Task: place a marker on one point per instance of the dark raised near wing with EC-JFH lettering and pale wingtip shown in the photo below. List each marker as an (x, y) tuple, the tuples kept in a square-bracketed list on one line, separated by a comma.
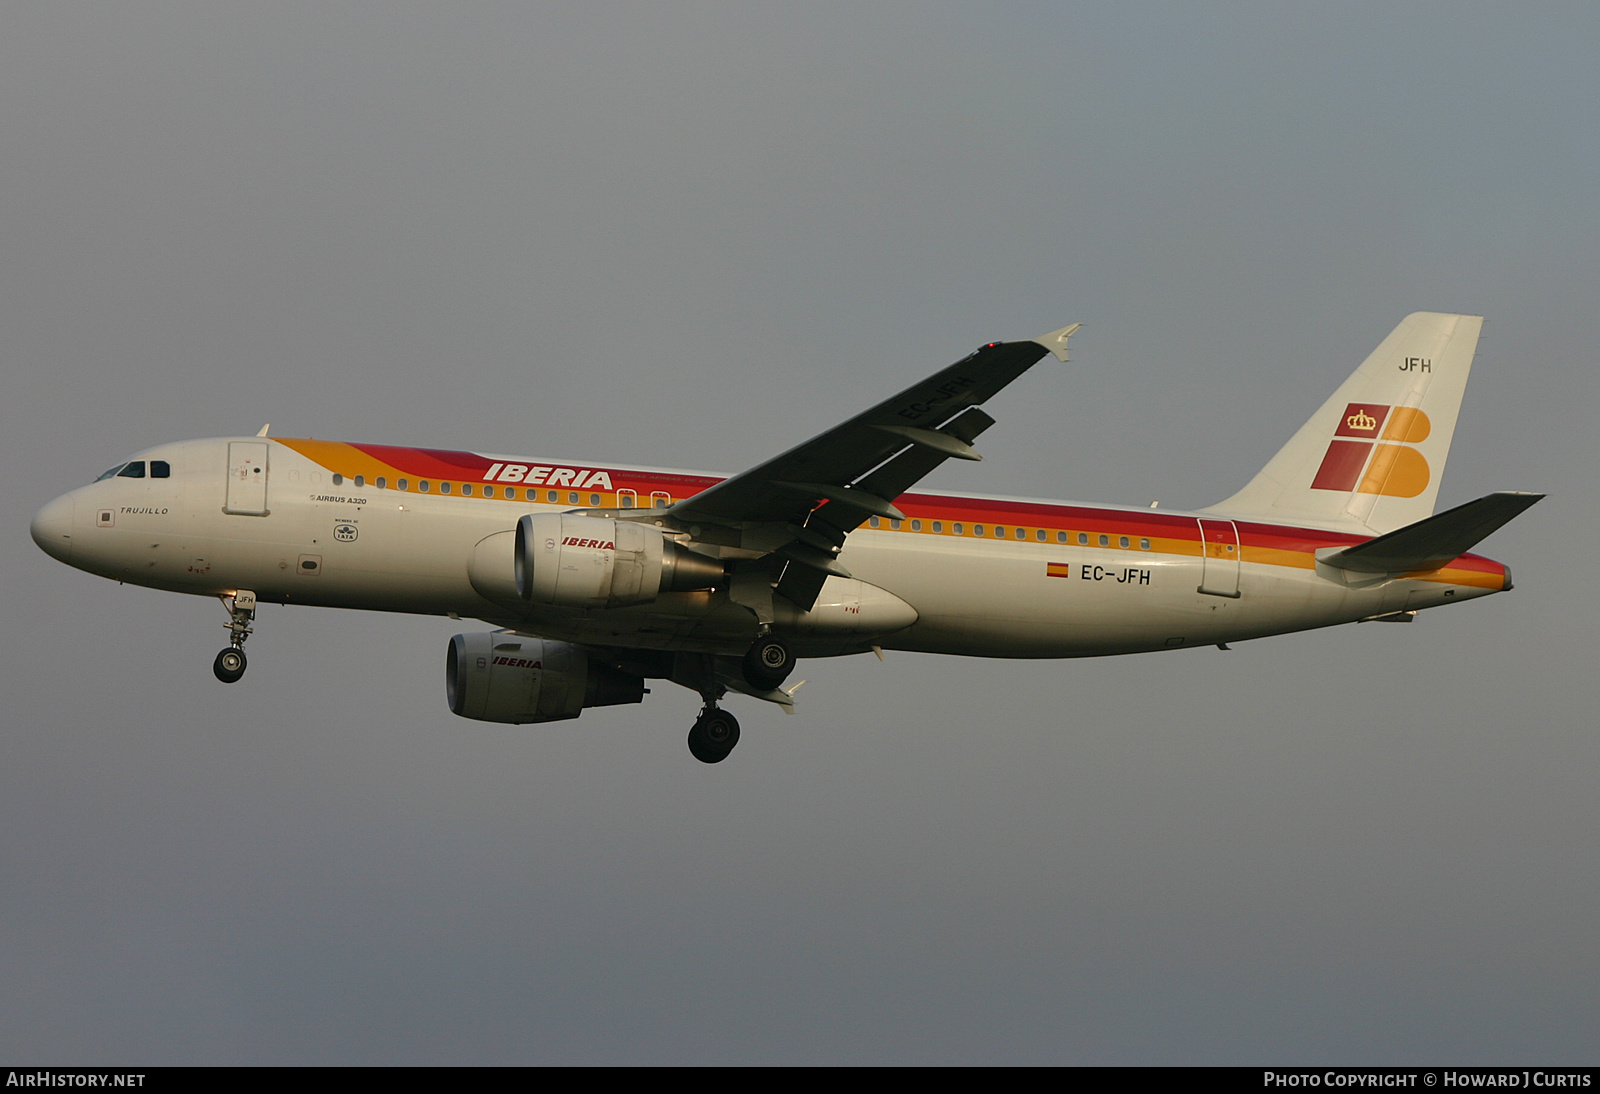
[(798, 508)]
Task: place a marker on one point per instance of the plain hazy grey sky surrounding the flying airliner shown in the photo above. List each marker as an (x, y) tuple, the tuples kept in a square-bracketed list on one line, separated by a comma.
[(689, 236)]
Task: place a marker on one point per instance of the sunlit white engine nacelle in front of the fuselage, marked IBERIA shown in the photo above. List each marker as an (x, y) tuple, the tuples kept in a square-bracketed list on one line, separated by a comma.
[(570, 561)]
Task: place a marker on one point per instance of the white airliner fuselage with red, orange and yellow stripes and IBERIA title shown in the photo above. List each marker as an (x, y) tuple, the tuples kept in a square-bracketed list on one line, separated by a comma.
[(1081, 580)]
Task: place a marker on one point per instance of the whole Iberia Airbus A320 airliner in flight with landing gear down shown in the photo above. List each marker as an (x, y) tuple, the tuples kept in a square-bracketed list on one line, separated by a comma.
[(599, 577)]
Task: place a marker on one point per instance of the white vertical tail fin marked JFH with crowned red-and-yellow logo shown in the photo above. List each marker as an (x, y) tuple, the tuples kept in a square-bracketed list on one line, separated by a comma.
[(1372, 458)]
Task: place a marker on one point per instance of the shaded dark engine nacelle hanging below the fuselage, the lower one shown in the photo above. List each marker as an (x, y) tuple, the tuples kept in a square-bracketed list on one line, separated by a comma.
[(505, 677)]
